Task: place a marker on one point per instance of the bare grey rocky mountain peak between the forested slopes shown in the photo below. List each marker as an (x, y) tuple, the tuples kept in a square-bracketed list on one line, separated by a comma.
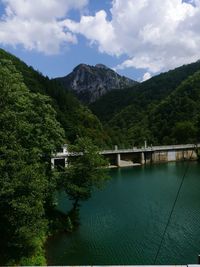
[(91, 82)]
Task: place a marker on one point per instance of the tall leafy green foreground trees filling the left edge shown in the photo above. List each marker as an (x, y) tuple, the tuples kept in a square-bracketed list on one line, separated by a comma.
[(28, 133)]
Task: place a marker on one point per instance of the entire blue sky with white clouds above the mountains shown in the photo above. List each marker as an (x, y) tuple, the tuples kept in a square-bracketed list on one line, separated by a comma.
[(137, 38)]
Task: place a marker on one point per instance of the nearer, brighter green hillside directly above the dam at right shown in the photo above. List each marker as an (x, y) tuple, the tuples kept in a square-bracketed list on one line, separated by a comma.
[(172, 120)]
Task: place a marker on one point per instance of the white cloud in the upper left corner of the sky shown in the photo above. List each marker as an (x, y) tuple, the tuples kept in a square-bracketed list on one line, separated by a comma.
[(37, 24)]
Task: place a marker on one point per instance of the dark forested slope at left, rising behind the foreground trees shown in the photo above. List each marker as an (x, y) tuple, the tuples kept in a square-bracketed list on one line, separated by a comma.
[(76, 119)]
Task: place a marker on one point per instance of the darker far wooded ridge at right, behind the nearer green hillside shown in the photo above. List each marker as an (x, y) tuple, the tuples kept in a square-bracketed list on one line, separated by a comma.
[(141, 95)]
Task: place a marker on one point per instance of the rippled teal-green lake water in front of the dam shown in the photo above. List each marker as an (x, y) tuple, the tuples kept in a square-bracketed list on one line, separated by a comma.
[(123, 223)]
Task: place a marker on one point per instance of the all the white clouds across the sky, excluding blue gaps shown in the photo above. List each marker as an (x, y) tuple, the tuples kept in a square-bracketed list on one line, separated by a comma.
[(152, 35)]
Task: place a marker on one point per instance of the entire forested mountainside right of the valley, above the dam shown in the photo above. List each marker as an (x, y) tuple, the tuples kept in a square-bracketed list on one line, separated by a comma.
[(153, 110)]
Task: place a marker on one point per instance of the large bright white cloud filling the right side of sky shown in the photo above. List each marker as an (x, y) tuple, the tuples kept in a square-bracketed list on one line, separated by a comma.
[(154, 35)]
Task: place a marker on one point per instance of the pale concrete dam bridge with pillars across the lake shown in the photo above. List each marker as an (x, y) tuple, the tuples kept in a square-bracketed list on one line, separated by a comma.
[(136, 156)]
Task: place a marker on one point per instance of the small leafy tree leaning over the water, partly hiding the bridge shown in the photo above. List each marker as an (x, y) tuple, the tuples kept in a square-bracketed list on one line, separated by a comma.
[(84, 173)]
